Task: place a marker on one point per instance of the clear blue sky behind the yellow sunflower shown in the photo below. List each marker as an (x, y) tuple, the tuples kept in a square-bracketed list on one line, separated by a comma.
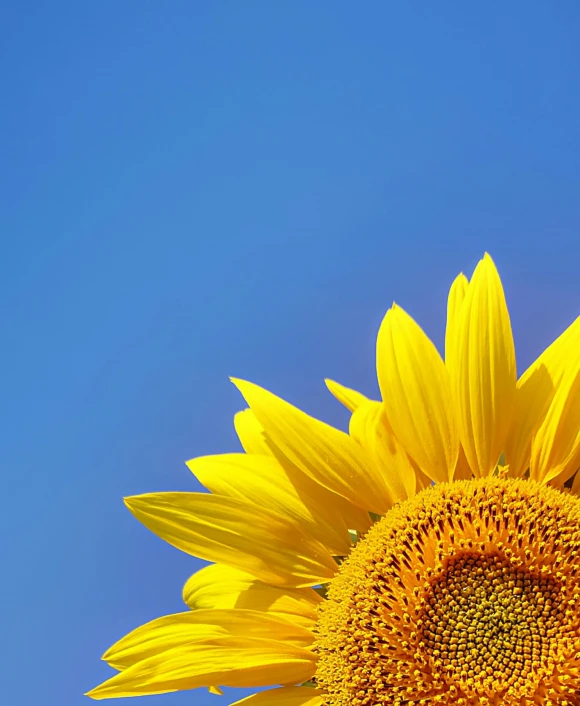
[(192, 190)]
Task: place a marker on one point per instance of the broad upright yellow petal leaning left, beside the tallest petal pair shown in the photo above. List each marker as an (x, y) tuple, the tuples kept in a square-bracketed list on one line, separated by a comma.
[(416, 392)]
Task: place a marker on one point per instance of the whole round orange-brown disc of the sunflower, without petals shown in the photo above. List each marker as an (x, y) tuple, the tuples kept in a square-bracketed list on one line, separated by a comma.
[(466, 594)]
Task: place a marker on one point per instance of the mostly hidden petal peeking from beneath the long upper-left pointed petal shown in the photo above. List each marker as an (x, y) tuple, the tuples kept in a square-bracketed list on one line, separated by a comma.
[(255, 440)]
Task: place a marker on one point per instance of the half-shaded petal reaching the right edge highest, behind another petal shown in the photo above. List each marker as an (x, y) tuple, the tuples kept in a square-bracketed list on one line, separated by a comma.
[(534, 394)]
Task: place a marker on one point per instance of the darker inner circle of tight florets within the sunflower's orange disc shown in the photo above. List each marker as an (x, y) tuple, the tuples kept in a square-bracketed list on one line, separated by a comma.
[(486, 622)]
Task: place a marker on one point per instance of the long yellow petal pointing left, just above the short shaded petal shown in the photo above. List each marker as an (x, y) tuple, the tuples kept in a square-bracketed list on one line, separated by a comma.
[(238, 534)]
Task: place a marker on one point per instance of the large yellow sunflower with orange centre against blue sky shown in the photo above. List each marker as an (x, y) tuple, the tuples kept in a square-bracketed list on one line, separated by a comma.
[(430, 555)]
